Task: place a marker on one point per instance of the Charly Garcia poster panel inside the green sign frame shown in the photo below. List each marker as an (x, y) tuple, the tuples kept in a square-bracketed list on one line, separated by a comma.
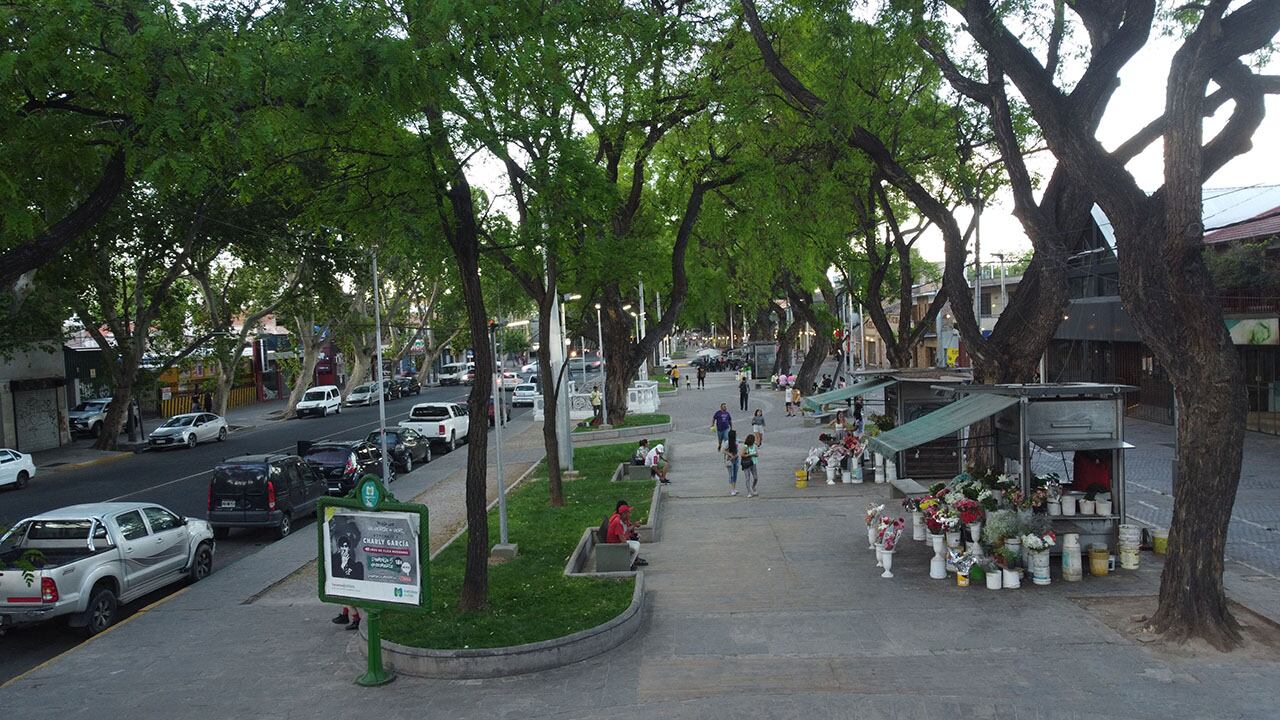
[(372, 555)]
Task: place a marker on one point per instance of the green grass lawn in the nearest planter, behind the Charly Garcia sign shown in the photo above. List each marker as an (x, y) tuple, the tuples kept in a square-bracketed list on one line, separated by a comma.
[(531, 599)]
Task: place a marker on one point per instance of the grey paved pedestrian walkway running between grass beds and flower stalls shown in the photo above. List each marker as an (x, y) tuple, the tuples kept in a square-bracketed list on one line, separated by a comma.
[(761, 608)]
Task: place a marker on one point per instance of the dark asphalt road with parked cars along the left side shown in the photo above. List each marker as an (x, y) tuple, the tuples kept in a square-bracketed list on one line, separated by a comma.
[(180, 480)]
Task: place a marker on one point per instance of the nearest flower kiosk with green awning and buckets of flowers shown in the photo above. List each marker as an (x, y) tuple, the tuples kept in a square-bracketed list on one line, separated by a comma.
[(1058, 486)]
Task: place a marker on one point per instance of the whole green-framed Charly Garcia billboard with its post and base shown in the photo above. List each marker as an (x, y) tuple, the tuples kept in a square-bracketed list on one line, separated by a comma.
[(373, 554)]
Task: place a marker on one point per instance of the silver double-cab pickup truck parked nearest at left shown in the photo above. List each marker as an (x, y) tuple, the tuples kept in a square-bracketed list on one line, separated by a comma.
[(90, 559)]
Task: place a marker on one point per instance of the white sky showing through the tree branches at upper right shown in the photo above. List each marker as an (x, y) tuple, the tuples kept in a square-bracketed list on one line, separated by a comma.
[(1140, 101)]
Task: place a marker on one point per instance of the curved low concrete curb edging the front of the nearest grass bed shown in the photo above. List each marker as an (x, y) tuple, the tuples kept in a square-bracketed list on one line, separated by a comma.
[(515, 660)]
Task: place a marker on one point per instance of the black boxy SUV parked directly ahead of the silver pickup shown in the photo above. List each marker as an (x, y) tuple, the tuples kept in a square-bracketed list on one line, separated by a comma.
[(262, 491)]
